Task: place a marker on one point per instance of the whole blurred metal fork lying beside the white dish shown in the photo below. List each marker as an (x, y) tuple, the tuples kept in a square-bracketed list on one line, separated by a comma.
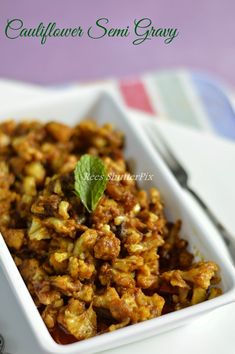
[(182, 177)]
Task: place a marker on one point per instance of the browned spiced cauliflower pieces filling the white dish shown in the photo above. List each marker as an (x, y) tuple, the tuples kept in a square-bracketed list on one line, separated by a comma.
[(91, 271)]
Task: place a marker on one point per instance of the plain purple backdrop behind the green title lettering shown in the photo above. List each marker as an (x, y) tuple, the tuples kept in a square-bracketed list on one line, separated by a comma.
[(206, 40)]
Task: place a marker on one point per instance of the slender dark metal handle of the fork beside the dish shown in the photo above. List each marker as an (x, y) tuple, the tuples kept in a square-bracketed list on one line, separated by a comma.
[(223, 231)]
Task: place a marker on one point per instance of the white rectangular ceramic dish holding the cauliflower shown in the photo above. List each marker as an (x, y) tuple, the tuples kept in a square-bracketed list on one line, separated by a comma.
[(70, 108)]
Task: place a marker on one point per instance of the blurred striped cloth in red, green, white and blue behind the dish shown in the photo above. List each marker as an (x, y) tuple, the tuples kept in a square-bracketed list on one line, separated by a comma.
[(190, 98)]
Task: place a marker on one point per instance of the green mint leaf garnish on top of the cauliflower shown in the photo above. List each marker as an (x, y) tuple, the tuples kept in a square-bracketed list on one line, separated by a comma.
[(90, 180)]
